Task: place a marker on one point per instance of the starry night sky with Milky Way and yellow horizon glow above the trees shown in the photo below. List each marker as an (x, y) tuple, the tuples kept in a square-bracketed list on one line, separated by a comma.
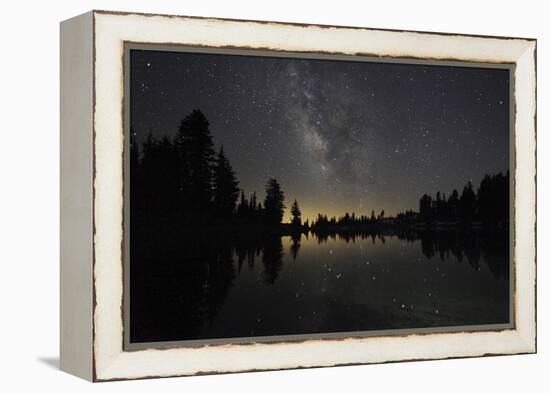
[(340, 136)]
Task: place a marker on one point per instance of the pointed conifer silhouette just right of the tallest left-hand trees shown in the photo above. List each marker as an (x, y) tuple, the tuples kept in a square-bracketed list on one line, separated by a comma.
[(225, 189)]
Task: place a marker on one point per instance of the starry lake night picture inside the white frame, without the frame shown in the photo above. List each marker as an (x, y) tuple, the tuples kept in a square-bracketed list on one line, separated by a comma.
[(288, 196)]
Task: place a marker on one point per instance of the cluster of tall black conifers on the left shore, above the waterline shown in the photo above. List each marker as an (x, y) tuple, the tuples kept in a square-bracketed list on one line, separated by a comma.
[(183, 182)]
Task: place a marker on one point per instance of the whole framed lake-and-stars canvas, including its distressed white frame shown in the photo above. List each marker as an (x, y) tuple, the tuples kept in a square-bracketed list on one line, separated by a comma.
[(246, 195)]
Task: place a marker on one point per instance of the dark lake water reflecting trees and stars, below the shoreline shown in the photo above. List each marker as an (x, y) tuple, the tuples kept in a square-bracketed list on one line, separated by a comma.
[(220, 288)]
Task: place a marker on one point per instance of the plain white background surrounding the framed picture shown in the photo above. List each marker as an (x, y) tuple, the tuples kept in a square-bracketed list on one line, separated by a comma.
[(29, 197)]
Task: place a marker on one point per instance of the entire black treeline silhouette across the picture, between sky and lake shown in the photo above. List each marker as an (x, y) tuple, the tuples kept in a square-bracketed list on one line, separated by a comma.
[(184, 182)]
